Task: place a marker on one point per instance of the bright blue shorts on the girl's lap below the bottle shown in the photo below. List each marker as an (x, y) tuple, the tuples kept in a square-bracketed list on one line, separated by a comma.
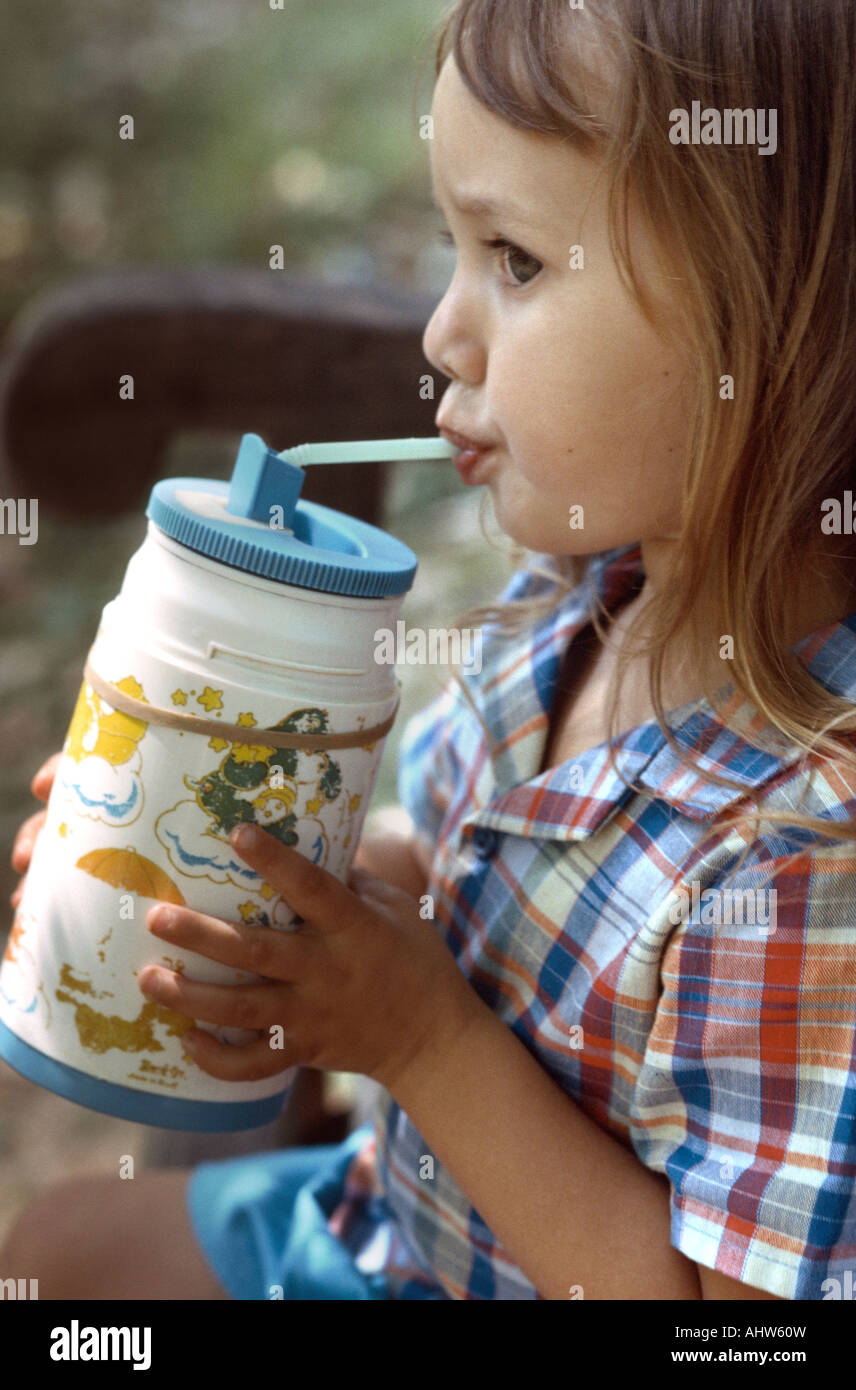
[(262, 1224)]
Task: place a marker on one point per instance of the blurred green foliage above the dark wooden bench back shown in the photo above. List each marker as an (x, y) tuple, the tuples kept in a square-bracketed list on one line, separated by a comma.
[(254, 127)]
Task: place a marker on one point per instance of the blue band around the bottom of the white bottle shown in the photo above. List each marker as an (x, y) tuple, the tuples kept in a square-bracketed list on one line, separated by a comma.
[(163, 1111)]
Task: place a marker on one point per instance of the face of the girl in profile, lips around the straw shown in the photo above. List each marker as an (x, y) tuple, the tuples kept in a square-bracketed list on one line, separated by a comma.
[(558, 368)]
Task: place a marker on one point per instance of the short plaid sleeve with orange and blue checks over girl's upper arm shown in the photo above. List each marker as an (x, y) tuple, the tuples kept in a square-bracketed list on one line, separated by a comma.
[(747, 1096)]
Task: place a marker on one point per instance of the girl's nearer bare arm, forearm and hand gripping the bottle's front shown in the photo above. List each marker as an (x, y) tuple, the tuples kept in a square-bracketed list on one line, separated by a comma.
[(368, 988)]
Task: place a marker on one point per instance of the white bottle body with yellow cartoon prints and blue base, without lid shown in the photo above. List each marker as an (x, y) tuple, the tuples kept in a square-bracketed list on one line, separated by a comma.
[(141, 812)]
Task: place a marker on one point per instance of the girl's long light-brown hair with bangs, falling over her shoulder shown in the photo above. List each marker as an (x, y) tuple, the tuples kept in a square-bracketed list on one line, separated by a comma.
[(765, 248)]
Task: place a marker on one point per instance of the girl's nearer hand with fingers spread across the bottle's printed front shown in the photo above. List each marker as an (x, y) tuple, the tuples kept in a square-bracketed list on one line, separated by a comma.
[(366, 985)]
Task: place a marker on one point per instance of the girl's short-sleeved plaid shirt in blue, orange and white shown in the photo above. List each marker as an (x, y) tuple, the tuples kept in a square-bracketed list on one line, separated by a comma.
[(715, 1042)]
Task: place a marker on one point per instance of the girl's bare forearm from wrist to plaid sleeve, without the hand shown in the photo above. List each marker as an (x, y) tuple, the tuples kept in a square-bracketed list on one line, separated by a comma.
[(570, 1204)]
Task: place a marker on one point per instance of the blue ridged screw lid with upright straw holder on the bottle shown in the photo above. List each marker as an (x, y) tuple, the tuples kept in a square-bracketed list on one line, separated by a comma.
[(258, 525)]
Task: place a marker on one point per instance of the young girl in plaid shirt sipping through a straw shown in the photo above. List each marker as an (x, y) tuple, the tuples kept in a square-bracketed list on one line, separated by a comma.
[(619, 1061)]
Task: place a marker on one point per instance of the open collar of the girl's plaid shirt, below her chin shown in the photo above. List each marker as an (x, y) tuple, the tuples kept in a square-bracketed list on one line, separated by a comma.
[(518, 687)]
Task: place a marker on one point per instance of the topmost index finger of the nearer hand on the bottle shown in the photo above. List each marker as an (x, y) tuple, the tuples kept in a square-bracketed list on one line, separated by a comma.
[(318, 896)]
